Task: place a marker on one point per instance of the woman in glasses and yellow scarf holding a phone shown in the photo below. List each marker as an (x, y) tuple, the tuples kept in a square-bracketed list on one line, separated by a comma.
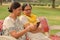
[(29, 18)]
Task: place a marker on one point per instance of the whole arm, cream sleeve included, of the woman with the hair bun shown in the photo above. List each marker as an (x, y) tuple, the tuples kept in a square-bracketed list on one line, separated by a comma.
[(8, 25)]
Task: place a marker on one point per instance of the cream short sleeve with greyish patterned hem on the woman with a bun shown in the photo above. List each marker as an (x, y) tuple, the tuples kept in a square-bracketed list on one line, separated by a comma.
[(8, 26)]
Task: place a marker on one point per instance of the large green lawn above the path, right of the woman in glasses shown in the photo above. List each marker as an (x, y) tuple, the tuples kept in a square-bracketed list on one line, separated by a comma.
[(51, 14)]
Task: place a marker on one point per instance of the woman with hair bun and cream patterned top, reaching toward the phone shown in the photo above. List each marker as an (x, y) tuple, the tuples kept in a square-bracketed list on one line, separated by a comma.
[(12, 26)]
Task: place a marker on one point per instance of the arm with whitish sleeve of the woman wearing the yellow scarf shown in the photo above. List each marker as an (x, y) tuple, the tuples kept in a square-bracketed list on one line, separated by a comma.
[(26, 23)]
